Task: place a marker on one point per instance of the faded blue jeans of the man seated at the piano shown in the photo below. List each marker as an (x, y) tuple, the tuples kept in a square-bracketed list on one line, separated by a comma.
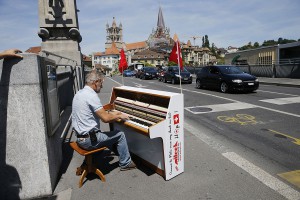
[(109, 139)]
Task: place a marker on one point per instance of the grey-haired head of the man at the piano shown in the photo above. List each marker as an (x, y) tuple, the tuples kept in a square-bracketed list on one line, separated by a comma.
[(94, 79)]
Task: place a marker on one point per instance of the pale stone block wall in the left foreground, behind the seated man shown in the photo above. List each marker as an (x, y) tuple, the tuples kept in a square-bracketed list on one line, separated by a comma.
[(30, 158)]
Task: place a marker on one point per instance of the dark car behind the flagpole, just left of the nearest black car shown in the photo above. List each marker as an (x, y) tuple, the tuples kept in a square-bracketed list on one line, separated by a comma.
[(172, 75)]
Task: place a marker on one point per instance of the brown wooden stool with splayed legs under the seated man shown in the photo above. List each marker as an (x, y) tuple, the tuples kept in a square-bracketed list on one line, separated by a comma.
[(89, 167)]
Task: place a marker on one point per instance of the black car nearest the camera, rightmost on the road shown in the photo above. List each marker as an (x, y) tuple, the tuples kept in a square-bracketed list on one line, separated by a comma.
[(226, 78)]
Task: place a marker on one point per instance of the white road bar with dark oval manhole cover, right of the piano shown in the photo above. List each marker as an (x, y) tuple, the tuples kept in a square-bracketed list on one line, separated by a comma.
[(221, 107)]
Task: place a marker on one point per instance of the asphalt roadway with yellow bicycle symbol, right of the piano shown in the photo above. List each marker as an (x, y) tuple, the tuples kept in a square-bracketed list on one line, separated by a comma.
[(261, 128)]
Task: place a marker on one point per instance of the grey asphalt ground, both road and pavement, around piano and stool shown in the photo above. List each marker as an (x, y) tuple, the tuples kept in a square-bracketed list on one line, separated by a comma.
[(237, 146)]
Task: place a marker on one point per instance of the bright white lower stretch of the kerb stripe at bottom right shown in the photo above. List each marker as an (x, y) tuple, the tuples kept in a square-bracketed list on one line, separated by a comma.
[(263, 176)]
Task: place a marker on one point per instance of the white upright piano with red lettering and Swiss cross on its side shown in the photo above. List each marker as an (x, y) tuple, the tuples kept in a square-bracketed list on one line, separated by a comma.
[(154, 132)]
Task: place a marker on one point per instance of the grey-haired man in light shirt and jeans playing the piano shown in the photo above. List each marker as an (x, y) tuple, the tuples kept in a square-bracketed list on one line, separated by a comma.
[(87, 109)]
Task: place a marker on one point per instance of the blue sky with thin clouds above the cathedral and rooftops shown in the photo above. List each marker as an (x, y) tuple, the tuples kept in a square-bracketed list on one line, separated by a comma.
[(226, 23)]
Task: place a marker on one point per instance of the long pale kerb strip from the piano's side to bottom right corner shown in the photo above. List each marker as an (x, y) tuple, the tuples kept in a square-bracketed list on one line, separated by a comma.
[(264, 177)]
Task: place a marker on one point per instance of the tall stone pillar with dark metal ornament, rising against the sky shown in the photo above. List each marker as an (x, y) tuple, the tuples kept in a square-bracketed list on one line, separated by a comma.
[(59, 29)]
